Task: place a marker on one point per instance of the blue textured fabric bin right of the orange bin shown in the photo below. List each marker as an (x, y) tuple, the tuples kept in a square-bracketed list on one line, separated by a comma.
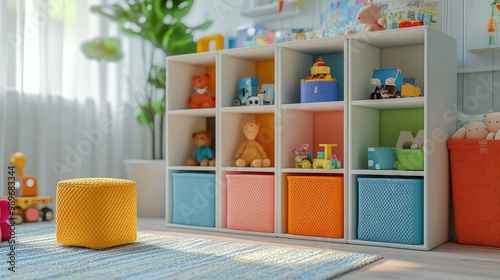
[(391, 210)]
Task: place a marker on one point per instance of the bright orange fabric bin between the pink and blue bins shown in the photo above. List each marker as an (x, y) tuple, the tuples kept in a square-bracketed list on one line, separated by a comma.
[(316, 206)]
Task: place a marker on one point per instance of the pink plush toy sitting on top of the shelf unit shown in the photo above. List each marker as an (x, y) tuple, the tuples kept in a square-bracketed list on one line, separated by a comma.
[(371, 16)]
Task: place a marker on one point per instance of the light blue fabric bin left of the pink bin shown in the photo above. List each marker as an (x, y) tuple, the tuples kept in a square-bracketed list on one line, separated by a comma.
[(193, 199)]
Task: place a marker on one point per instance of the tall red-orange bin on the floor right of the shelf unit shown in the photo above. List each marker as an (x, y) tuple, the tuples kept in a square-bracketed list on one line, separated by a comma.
[(475, 165)]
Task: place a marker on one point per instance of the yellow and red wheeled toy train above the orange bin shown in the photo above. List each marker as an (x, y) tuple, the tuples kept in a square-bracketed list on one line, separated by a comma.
[(326, 159)]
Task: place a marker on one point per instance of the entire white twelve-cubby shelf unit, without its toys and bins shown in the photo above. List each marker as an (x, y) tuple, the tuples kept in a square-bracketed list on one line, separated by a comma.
[(423, 53)]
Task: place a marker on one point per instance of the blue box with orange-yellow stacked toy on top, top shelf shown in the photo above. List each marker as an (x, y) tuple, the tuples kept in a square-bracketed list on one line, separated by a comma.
[(320, 86)]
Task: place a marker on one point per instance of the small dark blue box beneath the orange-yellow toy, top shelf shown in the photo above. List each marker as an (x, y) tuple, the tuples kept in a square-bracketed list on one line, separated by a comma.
[(319, 91)]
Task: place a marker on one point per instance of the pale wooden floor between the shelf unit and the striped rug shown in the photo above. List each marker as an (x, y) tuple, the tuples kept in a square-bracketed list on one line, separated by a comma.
[(450, 261)]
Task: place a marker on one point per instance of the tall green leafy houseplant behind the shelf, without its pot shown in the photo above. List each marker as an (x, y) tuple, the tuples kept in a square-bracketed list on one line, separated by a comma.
[(158, 23)]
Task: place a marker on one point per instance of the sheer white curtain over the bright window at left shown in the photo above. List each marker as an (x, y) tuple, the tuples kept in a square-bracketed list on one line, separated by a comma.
[(69, 115)]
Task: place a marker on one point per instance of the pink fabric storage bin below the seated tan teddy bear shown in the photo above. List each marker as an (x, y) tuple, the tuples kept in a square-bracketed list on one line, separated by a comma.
[(250, 202)]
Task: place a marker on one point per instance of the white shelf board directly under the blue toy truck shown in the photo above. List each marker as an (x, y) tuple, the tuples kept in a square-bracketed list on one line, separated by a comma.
[(392, 103)]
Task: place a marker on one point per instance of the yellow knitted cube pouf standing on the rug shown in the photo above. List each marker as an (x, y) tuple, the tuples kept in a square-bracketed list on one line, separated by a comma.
[(96, 212)]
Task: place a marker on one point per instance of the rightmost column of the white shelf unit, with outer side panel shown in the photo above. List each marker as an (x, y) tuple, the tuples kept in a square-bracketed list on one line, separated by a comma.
[(429, 57)]
